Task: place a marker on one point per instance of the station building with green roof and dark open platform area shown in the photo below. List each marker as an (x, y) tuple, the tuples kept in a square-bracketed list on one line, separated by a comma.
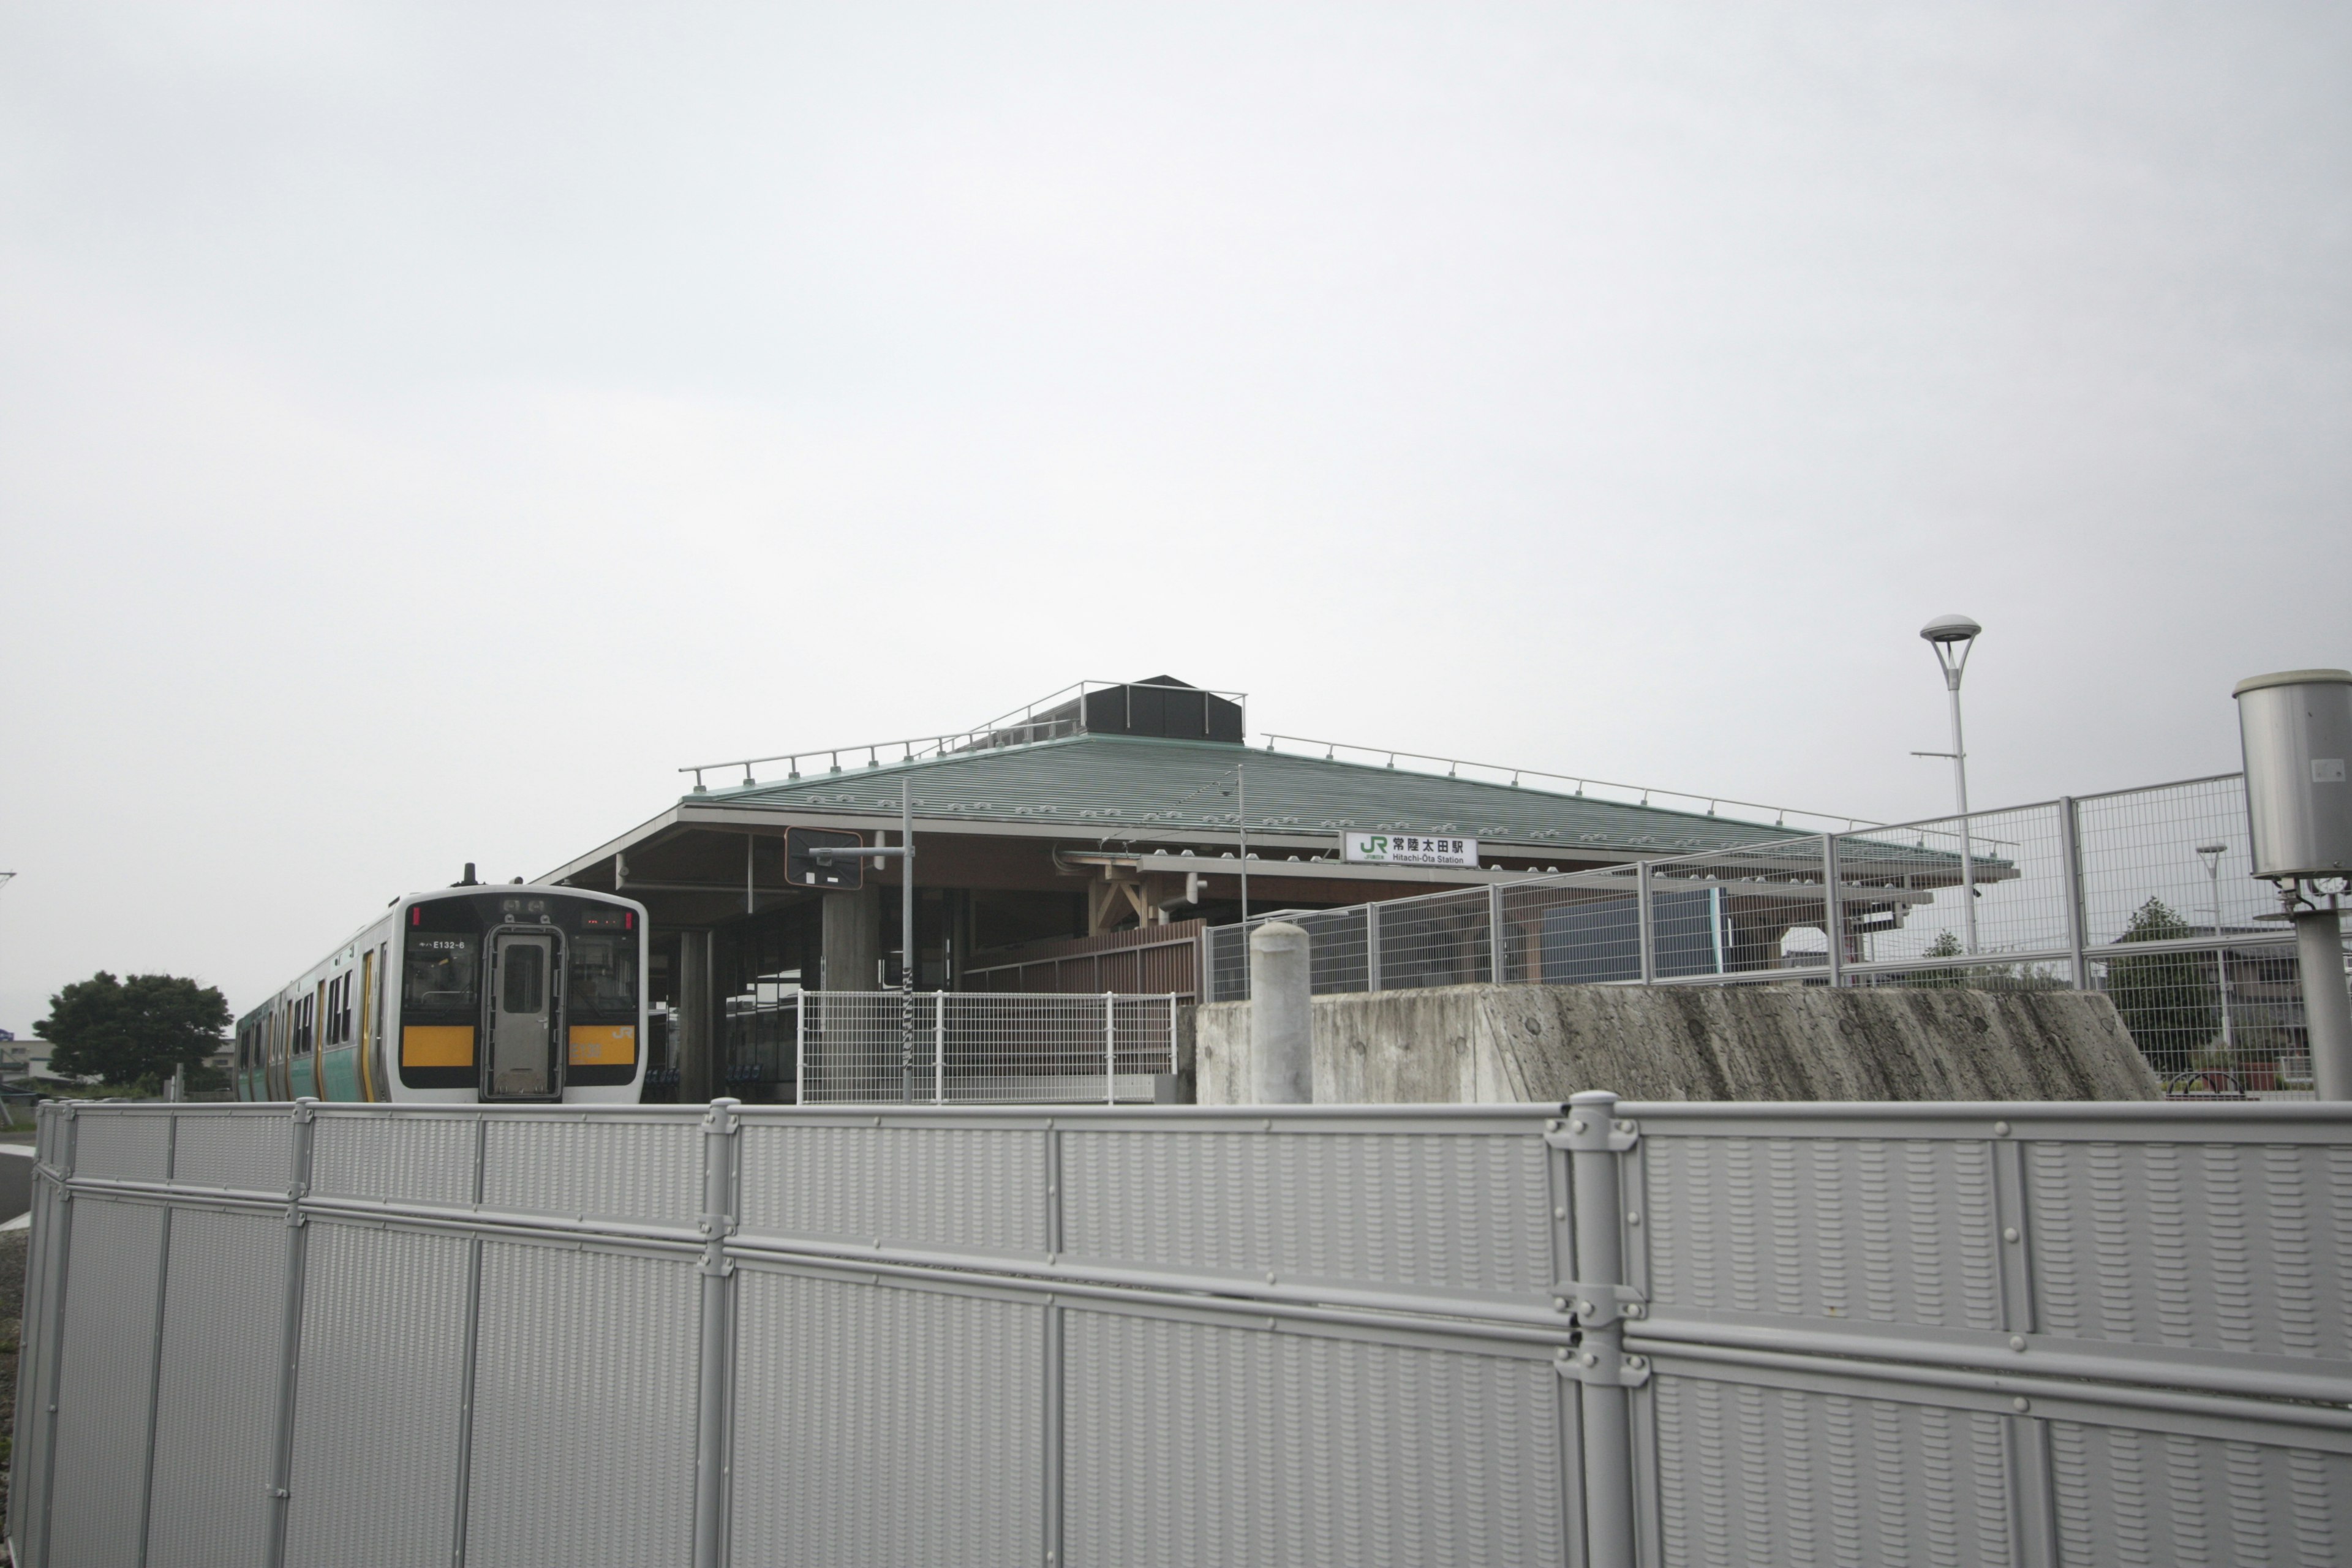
[(1076, 845)]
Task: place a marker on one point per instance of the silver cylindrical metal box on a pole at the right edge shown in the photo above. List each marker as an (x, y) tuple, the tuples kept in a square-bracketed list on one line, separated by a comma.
[(2297, 730)]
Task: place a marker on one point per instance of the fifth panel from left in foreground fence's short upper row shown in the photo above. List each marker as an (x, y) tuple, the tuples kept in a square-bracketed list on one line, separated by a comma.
[(860, 1184)]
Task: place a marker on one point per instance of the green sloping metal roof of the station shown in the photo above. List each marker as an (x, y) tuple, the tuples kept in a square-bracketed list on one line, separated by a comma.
[(1147, 789)]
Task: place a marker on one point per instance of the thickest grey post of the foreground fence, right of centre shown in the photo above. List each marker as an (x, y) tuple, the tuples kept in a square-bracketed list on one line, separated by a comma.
[(1601, 1264)]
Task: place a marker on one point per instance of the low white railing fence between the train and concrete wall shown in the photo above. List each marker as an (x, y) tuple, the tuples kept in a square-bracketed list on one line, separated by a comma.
[(963, 1050)]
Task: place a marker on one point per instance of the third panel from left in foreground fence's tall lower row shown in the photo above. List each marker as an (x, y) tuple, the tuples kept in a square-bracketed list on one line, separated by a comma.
[(377, 1428)]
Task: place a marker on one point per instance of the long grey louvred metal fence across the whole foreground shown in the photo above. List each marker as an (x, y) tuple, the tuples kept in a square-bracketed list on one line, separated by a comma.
[(1591, 1334)]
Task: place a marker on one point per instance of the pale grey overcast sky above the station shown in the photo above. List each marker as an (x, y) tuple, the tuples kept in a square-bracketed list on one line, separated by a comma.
[(422, 427)]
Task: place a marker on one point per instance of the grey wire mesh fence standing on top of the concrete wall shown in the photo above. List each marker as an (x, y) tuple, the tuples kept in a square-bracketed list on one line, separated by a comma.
[(2146, 894)]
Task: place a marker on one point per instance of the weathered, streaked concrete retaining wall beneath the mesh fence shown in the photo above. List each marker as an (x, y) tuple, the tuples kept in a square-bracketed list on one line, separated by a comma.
[(1685, 1043)]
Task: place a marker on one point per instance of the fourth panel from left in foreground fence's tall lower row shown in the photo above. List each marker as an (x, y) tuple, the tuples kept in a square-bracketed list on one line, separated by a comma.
[(582, 1409)]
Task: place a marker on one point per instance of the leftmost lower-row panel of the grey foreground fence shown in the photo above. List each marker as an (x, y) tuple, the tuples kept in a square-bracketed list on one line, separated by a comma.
[(105, 1379)]
